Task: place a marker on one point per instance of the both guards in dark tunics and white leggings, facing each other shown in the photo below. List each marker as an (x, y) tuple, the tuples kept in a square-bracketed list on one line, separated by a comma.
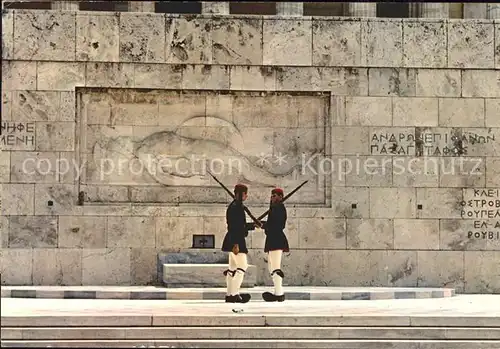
[(234, 243)]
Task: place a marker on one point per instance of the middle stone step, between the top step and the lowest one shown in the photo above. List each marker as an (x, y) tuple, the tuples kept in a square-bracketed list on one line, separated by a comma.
[(133, 333)]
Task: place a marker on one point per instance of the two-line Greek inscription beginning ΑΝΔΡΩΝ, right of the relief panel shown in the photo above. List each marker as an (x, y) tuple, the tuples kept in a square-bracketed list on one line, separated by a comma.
[(425, 142)]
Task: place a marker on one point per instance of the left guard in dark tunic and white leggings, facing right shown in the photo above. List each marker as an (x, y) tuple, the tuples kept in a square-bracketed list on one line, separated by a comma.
[(235, 243)]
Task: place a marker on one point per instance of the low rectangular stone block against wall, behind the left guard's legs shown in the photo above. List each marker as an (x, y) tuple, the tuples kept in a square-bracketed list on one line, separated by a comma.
[(202, 275)]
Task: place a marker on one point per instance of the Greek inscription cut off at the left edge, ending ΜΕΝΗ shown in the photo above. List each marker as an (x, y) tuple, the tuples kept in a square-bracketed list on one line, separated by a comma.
[(17, 135)]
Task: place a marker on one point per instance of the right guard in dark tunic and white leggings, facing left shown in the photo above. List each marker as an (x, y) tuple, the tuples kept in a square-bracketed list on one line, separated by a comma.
[(276, 243)]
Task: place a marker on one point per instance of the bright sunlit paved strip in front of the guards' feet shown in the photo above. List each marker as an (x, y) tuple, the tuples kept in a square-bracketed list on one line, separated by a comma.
[(461, 305)]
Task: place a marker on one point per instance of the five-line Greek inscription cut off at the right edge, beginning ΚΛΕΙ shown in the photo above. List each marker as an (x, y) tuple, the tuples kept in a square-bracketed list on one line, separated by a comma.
[(484, 208)]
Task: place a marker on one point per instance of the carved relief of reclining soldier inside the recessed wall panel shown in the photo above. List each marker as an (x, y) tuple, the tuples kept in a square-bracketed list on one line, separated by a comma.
[(174, 158)]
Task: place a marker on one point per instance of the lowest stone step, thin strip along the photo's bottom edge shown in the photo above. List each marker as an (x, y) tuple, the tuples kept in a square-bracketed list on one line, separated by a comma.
[(259, 343)]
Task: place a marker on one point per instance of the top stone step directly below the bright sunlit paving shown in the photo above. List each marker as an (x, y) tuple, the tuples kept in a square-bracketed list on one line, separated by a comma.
[(131, 319)]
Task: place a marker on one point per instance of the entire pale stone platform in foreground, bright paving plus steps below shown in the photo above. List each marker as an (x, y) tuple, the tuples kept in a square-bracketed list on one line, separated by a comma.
[(461, 322)]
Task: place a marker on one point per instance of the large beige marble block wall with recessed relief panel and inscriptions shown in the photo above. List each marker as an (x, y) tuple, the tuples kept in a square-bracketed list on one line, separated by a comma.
[(395, 123)]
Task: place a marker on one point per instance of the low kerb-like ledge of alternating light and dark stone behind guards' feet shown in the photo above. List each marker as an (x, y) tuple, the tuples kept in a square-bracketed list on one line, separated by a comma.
[(152, 292)]
